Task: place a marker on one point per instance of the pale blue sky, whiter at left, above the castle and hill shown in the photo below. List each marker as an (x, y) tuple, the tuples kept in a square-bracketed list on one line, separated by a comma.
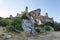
[(52, 7)]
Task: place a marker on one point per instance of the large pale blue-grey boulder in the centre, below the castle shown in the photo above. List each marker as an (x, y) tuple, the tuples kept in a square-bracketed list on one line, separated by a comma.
[(28, 26)]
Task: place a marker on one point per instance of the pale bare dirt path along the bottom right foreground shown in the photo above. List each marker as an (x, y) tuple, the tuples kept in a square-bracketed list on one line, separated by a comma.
[(52, 36)]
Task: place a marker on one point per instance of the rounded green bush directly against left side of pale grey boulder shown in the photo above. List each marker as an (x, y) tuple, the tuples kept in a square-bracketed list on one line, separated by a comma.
[(17, 23)]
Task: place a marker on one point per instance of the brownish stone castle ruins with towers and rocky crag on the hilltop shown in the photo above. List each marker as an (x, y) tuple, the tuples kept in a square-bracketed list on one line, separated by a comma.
[(36, 16)]
